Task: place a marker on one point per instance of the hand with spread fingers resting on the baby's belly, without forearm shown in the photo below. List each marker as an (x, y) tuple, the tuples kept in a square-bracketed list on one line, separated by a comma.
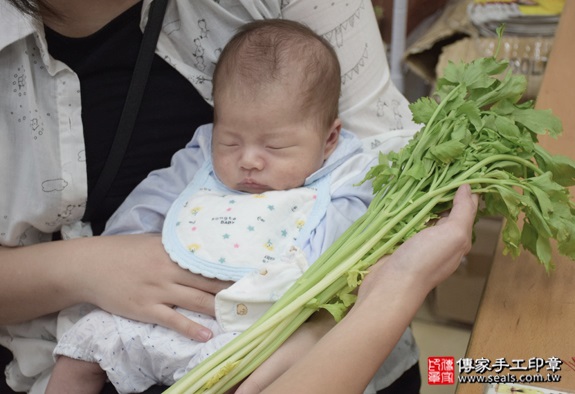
[(147, 285)]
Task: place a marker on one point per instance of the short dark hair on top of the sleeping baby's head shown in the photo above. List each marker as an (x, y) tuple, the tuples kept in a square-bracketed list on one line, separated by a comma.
[(265, 51)]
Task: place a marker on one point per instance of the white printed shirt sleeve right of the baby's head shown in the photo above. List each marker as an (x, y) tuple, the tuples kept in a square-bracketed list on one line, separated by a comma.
[(370, 105)]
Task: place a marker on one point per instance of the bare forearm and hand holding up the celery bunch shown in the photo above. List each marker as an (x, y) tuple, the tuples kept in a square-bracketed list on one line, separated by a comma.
[(345, 360)]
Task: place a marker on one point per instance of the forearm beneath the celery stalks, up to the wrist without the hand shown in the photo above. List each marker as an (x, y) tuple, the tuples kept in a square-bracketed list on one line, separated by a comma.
[(346, 359)]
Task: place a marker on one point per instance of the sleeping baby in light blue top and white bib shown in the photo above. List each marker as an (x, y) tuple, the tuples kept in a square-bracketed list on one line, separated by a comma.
[(265, 190)]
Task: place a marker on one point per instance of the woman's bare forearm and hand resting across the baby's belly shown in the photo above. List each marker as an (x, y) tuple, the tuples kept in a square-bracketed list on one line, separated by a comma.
[(127, 275)]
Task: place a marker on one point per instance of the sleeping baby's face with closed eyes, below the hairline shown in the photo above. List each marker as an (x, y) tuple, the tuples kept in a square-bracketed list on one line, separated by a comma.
[(264, 144)]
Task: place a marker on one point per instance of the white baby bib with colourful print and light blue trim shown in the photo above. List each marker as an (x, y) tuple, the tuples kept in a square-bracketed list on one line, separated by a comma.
[(219, 233)]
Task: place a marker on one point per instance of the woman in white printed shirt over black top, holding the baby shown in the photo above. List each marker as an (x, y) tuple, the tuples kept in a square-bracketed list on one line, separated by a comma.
[(67, 67)]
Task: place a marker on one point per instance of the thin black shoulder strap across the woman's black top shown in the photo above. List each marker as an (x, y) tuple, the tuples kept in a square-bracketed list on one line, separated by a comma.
[(131, 107)]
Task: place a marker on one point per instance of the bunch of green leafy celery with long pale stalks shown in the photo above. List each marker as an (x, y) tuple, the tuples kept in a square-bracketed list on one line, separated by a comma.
[(475, 131)]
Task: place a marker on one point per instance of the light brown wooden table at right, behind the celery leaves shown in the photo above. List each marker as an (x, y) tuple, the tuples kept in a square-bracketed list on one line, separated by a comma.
[(525, 313)]
